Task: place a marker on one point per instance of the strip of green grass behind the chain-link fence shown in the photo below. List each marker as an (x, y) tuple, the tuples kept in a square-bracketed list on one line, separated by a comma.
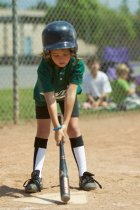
[(26, 106)]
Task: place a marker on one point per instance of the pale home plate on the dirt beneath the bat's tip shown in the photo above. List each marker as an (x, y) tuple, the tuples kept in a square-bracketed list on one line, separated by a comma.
[(54, 198)]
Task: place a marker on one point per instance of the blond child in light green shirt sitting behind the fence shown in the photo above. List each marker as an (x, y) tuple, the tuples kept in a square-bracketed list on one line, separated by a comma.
[(123, 91)]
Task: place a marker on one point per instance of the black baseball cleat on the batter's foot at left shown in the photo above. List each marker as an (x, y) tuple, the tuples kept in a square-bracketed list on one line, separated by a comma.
[(34, 184)]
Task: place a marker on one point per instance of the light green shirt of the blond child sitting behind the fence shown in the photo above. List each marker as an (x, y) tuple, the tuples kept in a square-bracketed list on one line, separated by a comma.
[(120, 89)]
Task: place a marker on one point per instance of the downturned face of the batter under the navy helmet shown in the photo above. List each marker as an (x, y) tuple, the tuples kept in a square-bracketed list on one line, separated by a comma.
[(61, 57)]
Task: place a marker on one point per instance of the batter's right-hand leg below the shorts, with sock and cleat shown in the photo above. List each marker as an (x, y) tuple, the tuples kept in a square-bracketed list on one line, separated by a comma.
[(86, 182)]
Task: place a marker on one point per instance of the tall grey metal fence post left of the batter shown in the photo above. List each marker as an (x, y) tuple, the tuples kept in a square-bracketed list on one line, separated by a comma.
[(15, 63)]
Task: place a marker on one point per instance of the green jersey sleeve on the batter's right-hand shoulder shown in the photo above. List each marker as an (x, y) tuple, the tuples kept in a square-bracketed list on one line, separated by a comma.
[(77, 73)]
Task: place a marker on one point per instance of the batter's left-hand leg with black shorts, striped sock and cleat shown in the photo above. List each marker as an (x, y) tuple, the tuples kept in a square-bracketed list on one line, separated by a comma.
[(40, 145)]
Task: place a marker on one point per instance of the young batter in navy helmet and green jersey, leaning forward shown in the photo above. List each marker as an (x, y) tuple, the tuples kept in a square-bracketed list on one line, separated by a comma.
[(60, 74)]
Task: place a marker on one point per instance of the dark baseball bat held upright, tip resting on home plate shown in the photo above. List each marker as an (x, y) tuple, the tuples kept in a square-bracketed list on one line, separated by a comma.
[(63, 172)]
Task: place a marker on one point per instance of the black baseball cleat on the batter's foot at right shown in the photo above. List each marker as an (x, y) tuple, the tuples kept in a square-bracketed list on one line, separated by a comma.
[(87, 182)]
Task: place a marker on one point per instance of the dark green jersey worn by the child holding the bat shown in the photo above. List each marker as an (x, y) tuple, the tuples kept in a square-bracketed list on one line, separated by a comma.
[(52, 78)]
